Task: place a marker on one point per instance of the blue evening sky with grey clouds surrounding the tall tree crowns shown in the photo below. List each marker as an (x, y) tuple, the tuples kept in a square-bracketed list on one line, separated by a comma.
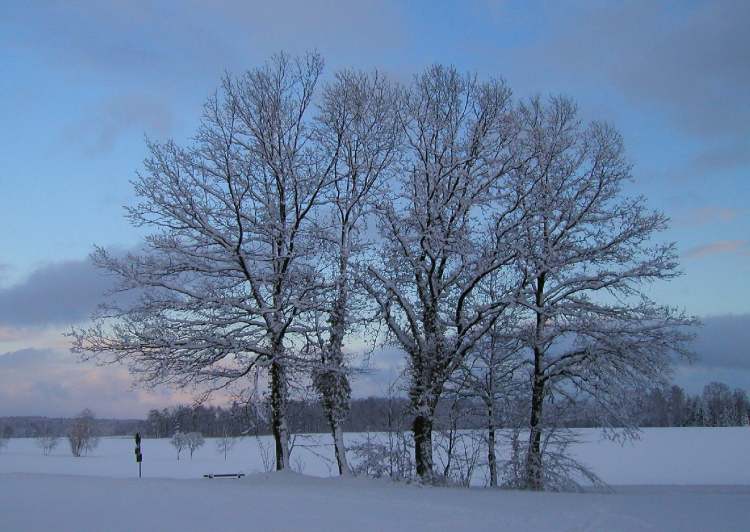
[(82, 82)]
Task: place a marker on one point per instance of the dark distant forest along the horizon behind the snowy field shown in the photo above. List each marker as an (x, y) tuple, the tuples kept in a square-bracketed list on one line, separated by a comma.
[(717, 406)]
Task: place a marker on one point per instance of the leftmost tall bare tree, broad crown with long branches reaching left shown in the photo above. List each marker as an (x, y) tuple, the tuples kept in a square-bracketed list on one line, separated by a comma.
[(230, 266)]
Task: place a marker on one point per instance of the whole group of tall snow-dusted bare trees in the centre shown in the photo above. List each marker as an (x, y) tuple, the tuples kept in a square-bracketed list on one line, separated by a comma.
[(489, 239)]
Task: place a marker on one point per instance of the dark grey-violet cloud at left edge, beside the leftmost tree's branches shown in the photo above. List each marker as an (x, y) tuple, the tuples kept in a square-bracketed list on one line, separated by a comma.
[(60, 293)]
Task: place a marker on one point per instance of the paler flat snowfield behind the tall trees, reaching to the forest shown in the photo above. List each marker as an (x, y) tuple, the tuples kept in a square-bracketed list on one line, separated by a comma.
[(662, 456)]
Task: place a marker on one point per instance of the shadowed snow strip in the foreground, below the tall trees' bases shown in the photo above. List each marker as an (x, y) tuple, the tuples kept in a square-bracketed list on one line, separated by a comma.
[(290, 502)]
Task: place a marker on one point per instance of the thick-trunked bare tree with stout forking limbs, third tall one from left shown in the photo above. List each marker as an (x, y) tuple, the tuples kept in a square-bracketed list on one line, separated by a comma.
[(445, 228)]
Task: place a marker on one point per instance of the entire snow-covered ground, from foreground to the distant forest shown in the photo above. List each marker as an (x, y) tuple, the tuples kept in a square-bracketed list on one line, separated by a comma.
[(691, 479)]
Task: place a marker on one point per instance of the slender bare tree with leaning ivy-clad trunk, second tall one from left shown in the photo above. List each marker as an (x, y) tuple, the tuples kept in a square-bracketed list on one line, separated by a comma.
[(358, 129)]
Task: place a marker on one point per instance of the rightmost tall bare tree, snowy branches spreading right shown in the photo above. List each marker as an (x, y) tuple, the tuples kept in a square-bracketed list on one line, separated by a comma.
[(590, 330)]
